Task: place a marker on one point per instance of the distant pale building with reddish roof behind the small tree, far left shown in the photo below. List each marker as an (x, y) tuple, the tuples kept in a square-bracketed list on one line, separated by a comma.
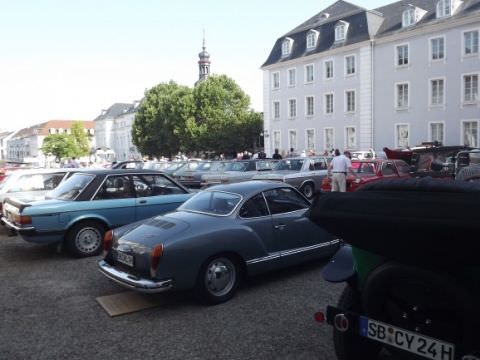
[(25, 145)]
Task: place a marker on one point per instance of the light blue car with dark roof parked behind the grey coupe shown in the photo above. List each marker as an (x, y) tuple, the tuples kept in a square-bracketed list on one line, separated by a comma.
[(80, 210)]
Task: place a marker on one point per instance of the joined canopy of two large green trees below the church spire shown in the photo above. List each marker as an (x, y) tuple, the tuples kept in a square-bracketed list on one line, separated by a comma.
[(213, 116)]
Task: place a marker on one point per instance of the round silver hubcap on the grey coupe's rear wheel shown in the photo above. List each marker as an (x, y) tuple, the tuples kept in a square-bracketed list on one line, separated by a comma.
[(220, 276)]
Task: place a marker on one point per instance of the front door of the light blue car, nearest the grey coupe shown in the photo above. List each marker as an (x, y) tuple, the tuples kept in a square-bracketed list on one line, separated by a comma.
[(156, 194)]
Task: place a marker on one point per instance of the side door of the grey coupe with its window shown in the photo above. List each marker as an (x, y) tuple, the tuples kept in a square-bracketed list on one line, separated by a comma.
[(297, 238)]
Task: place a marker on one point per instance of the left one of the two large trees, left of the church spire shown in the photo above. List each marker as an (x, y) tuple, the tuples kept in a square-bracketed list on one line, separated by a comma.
[(161, 120)]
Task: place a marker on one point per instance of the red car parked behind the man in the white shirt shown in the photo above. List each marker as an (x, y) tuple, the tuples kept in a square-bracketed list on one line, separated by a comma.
[(372, 170)]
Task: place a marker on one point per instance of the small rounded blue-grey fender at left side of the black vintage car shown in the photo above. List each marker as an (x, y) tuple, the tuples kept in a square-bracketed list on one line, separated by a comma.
[(341, 267)]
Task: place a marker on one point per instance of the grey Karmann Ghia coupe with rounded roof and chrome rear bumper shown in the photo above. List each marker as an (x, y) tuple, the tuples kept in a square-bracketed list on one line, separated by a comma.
[(215, 238)]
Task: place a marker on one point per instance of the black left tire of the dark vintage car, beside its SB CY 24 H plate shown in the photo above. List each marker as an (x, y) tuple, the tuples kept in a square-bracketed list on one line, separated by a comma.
[(348, 345)]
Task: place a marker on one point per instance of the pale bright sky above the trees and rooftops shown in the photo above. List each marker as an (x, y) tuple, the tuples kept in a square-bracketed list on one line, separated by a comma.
[(68, 60)]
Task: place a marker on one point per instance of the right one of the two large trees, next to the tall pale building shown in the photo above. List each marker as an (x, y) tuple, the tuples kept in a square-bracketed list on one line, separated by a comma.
[(223, 120)]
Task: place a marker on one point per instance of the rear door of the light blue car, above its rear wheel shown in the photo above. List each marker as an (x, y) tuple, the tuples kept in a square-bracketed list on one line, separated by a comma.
[(115, 200)]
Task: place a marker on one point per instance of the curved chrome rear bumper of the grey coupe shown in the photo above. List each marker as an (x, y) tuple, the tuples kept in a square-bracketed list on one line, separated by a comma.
[(133, 282)]
